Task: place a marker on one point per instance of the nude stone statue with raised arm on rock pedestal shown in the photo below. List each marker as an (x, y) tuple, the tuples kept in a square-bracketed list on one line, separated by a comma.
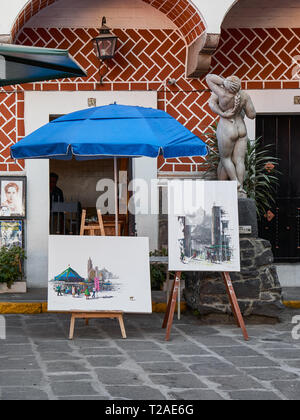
[(232, 105)]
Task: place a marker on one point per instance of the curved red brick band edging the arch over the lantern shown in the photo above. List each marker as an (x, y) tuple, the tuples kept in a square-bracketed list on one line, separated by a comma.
[(185, 16)]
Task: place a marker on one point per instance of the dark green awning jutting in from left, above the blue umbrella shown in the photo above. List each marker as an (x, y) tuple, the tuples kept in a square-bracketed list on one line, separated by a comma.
[(20, 64)]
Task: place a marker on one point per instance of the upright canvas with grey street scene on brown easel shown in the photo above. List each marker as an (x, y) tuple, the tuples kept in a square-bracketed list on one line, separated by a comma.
[(203, 226)]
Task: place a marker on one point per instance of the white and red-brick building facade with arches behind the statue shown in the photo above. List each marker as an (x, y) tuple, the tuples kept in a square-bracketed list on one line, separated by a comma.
[(165, 49)]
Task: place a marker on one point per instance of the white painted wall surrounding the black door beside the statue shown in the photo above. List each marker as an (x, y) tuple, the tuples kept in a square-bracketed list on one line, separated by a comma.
[(277, 102)]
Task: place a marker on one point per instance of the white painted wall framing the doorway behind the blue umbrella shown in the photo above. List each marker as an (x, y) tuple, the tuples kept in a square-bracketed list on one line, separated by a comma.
[(38, 106)]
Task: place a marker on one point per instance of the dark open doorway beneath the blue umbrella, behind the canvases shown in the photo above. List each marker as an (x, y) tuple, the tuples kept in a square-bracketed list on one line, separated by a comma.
[(78, 182)]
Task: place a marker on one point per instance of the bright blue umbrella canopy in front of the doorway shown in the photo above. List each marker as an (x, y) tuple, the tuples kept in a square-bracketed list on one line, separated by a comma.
[(110, 131)]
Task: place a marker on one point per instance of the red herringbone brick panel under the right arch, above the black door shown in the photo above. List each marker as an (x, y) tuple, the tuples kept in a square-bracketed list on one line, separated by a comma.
[(262, 58)]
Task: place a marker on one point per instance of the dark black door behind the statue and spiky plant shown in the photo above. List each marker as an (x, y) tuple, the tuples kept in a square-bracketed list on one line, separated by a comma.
[(281, 226)]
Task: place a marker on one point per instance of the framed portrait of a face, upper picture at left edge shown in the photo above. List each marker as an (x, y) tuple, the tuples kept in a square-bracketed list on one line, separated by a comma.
[(13, 197)]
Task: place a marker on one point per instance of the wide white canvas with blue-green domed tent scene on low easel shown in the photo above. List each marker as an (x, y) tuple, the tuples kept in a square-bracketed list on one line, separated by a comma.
[(99, 273)]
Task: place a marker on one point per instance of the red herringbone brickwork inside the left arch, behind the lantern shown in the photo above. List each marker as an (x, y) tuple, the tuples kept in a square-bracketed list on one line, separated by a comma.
[(142, 56)]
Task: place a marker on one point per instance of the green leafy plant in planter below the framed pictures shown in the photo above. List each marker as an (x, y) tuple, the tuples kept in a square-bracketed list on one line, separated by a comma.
[(11, 265)]
